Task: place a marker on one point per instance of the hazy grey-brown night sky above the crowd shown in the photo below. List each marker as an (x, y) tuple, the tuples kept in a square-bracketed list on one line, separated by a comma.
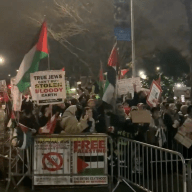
[(159, 24)]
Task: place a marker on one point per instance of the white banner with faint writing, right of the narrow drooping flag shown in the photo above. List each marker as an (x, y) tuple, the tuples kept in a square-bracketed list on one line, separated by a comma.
[(126, 85)]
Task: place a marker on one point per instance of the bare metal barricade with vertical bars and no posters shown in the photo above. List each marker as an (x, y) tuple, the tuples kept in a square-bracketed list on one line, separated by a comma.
[(150, 168)]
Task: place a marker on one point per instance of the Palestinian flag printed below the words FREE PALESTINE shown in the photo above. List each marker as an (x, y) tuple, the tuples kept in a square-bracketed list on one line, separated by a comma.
[(90, 165)]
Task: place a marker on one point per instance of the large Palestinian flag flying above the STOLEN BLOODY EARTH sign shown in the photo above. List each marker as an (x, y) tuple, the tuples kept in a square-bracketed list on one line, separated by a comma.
[(30, 63)]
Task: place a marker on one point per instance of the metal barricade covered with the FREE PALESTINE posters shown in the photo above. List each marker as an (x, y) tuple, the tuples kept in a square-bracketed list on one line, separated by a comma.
[(64, 160)]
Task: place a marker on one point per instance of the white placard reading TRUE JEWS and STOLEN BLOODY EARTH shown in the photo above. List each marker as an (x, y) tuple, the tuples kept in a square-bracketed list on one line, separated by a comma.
[(48, 87)]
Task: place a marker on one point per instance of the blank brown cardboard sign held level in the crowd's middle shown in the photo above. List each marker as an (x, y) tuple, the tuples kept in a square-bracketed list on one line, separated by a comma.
[(141, 116)]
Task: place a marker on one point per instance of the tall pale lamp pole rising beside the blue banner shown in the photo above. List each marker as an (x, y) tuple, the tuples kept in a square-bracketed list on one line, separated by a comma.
[(133, 40)]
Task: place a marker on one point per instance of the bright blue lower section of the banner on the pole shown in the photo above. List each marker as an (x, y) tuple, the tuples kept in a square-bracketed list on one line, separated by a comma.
[(122, 34)]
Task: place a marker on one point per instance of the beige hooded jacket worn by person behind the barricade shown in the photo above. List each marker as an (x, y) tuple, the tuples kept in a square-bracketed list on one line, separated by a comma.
[(69, 122)]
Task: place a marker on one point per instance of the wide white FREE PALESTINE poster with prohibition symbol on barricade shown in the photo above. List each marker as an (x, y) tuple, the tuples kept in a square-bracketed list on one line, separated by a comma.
[(70, 160)]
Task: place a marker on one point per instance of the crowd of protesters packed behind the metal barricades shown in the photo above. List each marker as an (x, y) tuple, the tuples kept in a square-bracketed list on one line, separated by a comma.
[(90, 115)]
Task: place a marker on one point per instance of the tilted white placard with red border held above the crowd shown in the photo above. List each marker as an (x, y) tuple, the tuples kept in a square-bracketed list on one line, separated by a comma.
[(154, 95)]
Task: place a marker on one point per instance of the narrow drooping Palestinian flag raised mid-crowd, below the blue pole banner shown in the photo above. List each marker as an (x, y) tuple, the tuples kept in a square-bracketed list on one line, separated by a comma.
[(111, 76)]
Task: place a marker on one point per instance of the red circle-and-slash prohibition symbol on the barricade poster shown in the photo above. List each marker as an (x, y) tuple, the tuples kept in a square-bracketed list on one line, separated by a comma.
[(48, 159)]
